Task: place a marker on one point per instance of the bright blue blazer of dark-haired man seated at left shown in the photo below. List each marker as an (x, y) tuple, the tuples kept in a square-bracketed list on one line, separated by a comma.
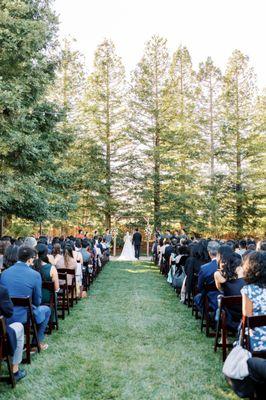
[(22, 281)]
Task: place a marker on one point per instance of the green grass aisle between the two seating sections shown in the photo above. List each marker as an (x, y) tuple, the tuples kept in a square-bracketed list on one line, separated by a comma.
[(130, 340)]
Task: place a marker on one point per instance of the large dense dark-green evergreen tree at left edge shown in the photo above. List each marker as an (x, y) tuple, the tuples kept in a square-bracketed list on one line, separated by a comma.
[(31, 146)]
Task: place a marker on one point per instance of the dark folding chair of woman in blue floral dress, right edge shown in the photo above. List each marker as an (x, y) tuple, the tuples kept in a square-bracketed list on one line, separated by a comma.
[(250, 323)]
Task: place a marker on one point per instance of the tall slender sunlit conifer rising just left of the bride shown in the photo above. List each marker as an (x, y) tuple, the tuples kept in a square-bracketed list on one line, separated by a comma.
[(104, 113)]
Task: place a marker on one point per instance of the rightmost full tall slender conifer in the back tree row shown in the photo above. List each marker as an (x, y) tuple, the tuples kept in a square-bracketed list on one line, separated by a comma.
[(237, 140)]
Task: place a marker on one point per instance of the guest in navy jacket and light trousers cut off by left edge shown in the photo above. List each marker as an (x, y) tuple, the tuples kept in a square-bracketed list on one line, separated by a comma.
[(15, 333)]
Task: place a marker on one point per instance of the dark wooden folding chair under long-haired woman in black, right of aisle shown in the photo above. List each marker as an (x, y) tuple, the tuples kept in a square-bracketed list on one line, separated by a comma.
[(225, 302)]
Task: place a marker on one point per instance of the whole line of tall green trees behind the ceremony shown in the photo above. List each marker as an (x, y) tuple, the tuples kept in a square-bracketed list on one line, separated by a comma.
[(178, 145)]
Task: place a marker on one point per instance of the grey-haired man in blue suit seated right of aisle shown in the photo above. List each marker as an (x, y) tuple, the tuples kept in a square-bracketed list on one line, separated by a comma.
[(206, 277)]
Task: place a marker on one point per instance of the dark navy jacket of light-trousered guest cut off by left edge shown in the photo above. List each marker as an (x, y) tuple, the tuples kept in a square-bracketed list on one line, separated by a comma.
[(6, 309)]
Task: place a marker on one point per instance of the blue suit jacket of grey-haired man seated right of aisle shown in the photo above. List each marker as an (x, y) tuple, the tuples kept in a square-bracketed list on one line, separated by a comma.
[(206, 277)]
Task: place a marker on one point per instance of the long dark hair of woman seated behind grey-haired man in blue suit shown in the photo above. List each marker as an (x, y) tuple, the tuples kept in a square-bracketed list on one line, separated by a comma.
[(228, 262)]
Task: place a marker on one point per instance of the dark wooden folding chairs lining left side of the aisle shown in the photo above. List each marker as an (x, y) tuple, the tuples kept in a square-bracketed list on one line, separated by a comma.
[(60, 303)]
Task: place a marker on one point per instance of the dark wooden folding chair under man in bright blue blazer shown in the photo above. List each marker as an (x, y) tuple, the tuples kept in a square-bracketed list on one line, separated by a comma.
[(29, 325)]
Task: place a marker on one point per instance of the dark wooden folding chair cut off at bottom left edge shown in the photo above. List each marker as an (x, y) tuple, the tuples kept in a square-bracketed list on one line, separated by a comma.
[(4, 356)]
